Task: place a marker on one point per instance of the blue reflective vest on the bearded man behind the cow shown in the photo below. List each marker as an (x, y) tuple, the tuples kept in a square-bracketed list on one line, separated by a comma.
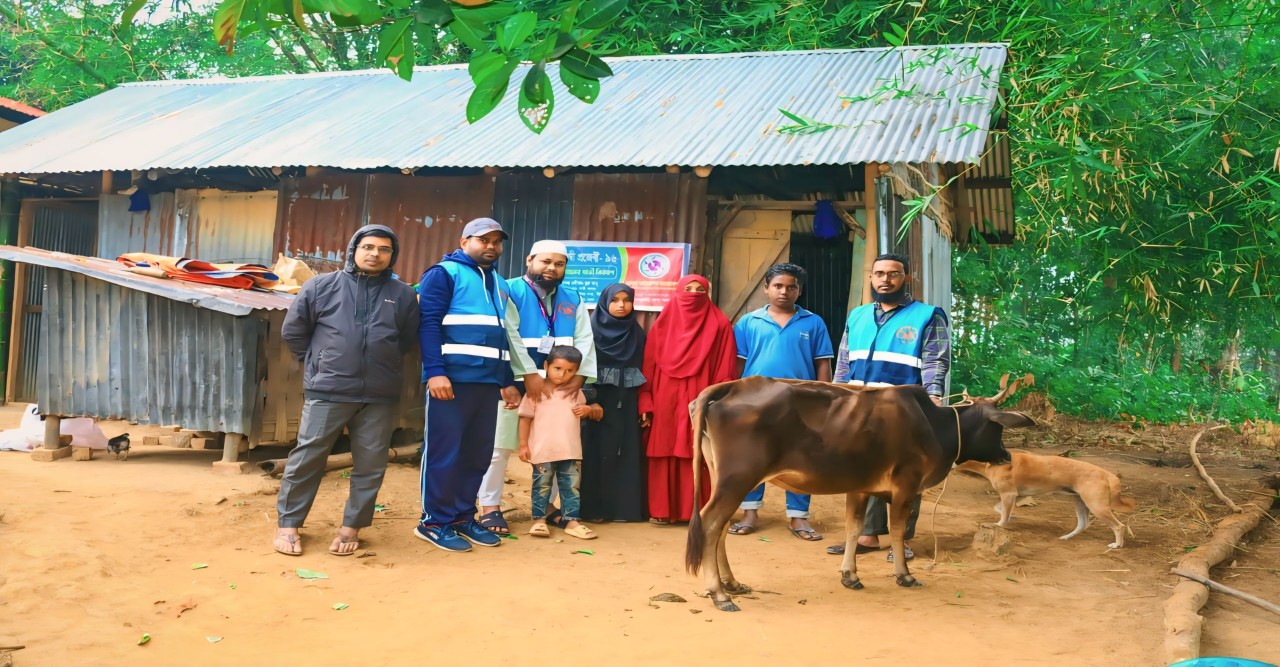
[(890, 354)]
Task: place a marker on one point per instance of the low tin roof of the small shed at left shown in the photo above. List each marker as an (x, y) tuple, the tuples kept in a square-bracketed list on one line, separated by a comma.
[(213, 298)]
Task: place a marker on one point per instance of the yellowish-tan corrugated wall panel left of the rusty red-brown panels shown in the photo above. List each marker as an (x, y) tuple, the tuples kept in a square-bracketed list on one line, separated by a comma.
[(228, 227)]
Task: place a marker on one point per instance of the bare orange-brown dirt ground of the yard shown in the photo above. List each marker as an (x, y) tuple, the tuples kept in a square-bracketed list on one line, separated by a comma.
[(97, 554)]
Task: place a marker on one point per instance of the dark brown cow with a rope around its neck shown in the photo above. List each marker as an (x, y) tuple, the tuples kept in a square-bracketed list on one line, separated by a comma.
[(820, 438)]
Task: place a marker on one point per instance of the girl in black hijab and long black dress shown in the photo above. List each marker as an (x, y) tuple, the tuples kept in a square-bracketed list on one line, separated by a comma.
[(614, 455)]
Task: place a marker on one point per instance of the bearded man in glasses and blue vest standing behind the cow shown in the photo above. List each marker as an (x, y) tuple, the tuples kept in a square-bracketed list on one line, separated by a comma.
[(893, 341)]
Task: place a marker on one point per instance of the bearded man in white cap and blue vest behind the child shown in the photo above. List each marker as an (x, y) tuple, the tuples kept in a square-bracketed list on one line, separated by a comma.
[(551, 316)]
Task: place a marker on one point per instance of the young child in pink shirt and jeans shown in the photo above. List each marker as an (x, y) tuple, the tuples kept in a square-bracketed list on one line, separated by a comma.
[(551, 438)]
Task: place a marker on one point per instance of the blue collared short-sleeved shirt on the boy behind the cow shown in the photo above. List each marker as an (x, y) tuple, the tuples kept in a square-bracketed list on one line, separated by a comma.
[(788, 353)]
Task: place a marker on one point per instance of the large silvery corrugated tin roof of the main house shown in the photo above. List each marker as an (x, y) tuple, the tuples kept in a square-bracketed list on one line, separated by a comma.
[(656, 112)]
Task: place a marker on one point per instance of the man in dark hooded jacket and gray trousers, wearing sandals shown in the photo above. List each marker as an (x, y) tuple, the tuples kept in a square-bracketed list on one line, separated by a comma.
[(351, 330)]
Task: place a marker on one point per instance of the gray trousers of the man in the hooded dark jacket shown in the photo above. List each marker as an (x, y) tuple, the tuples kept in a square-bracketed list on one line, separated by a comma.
[(371, 426)]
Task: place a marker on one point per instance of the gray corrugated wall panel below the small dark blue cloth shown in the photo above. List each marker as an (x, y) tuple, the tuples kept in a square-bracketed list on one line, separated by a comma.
[(157, 231)]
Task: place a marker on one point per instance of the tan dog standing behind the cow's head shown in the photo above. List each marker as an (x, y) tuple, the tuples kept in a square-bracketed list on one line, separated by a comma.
[(1095, 490)]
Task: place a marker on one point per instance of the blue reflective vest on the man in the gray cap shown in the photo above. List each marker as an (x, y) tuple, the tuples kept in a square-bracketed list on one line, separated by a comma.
[(476, 341)]
